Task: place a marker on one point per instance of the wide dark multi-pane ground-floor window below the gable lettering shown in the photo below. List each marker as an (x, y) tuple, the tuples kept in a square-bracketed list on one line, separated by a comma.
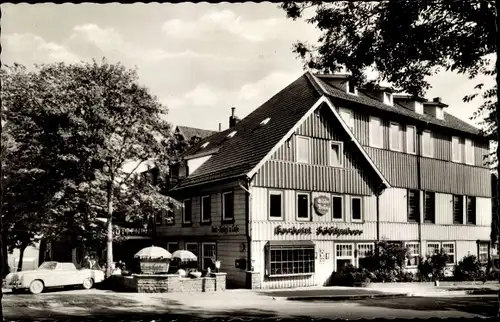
[(296, 260)]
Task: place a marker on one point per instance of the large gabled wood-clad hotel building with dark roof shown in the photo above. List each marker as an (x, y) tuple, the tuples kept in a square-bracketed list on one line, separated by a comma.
[(309, 181)]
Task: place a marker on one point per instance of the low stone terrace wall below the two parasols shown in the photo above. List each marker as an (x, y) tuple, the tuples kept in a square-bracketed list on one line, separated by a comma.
[(165, 283)]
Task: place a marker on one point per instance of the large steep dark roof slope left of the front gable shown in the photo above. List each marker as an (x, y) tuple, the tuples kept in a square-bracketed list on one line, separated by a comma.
[(251, 143)]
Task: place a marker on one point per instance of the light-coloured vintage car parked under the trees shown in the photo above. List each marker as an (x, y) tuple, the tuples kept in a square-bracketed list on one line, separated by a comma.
[(53, 274)]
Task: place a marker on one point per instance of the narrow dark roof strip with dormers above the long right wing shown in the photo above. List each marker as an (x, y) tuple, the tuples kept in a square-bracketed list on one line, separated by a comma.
[(450, 121)]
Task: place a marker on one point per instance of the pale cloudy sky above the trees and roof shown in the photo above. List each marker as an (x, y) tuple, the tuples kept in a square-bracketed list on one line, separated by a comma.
[(198, 59)]
